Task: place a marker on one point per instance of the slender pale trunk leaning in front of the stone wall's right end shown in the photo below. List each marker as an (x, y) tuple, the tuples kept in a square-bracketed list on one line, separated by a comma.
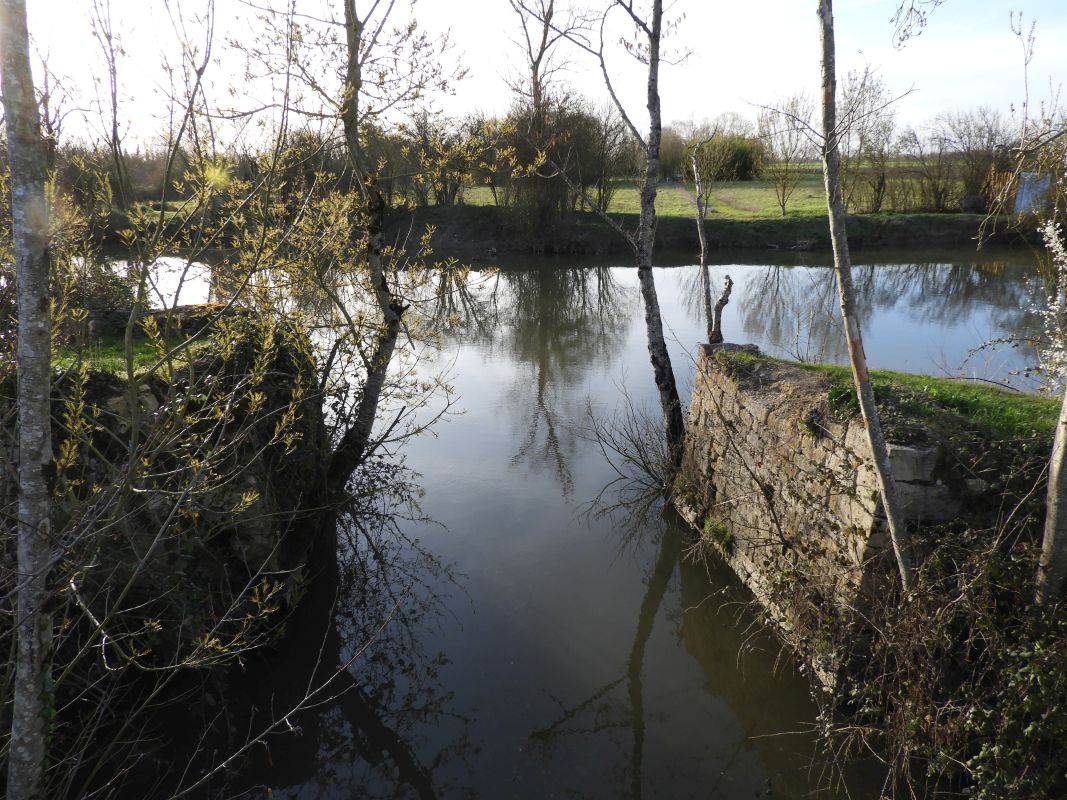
[(842, 267)]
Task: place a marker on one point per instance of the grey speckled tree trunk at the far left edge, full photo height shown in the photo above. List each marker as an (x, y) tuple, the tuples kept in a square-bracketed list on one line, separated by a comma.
[(26, 155)]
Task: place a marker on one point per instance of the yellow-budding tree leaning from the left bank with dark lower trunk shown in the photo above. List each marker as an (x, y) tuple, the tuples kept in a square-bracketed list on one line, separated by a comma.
[(356, 71)]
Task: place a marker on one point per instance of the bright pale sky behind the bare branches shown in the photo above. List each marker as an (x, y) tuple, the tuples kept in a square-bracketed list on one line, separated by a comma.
[(736, 56)]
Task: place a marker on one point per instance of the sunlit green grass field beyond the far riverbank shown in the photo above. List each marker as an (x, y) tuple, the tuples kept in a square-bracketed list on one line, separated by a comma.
[(740, 200)]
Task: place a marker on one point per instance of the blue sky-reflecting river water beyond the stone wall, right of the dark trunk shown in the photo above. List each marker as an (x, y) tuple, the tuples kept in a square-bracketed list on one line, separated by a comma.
[(970, 318)]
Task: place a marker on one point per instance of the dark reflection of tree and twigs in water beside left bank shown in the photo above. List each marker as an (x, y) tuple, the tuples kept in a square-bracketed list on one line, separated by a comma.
[(359, 641)]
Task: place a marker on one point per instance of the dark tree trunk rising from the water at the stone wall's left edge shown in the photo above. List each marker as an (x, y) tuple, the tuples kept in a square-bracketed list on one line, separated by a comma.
[(662, 370)]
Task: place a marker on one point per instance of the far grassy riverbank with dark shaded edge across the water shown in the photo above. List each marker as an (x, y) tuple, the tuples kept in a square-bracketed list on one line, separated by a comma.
[(742, 216)]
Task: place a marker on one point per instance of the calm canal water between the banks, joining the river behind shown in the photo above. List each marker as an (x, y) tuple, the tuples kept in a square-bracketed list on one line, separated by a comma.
[(518, 622)]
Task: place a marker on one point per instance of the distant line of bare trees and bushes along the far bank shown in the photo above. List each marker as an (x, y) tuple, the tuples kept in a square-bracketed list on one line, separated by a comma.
[(568, 155)]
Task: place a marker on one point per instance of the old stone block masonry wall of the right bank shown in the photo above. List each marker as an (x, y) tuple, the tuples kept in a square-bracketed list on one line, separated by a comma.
[(788, 494)]
